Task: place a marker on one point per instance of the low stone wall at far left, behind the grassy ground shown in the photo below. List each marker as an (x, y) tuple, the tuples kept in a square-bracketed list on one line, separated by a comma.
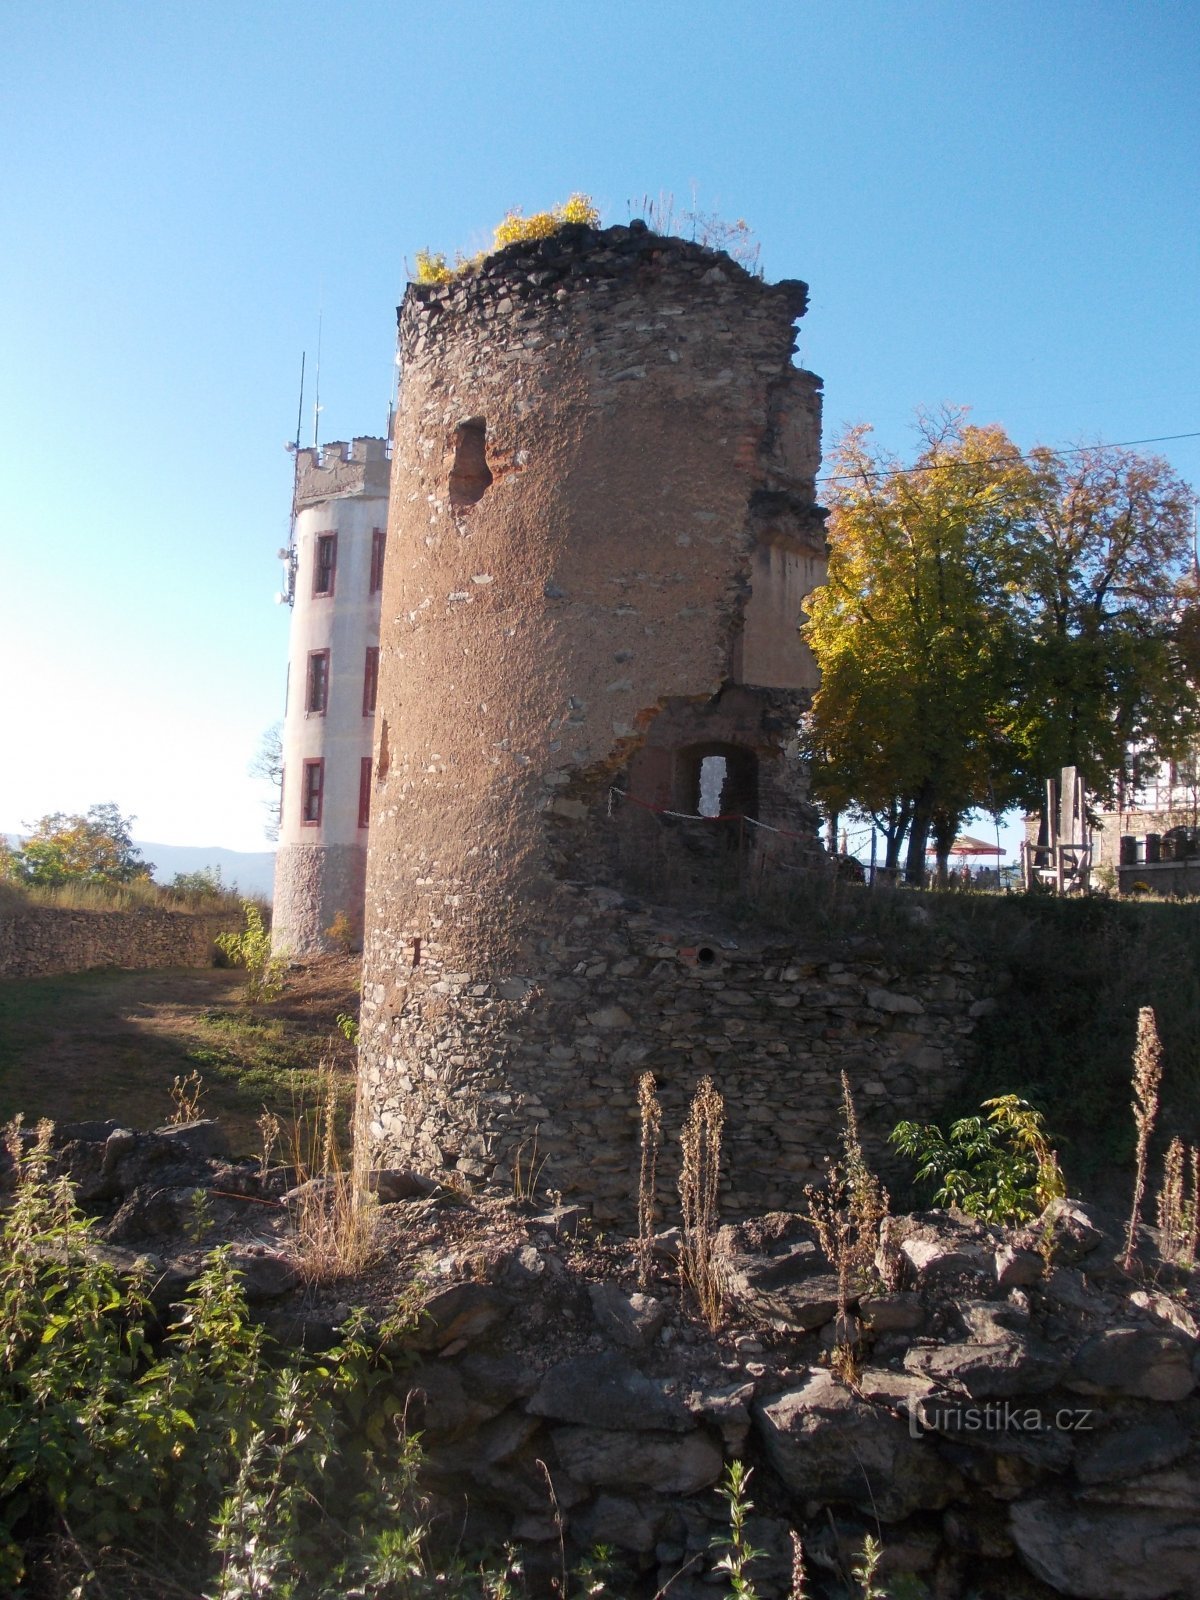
[(47, 940)]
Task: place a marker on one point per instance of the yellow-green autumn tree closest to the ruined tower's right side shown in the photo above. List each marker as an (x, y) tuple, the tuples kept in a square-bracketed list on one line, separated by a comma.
[(914, 633)]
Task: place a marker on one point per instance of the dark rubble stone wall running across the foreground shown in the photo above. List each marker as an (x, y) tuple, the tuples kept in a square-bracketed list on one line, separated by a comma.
[(1023, 1422)]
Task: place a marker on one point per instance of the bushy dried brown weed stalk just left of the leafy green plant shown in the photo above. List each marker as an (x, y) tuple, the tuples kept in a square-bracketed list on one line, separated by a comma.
[(849, 1215)]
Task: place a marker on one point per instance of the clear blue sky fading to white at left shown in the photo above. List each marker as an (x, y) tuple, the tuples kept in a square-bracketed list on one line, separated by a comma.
[(994, 206)]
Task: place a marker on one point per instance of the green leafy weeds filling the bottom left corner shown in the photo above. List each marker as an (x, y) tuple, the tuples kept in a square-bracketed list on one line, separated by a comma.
[(260, 1474)]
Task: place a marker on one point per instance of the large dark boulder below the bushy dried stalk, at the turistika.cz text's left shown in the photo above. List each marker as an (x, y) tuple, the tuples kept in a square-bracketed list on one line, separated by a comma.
[(830, 1446)]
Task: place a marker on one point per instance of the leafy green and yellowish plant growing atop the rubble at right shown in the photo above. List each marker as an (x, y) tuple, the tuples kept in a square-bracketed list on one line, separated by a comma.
[(999, 1166)]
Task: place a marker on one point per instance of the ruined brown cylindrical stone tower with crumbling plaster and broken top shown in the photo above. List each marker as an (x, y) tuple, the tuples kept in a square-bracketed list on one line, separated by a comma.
[(602, 527)]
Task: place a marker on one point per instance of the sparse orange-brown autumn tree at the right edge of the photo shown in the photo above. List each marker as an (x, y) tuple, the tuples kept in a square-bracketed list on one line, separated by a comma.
[(1108, 618)]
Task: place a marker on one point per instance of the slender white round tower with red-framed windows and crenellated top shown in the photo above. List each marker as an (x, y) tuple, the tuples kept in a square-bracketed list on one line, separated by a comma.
[(335, 582)]
